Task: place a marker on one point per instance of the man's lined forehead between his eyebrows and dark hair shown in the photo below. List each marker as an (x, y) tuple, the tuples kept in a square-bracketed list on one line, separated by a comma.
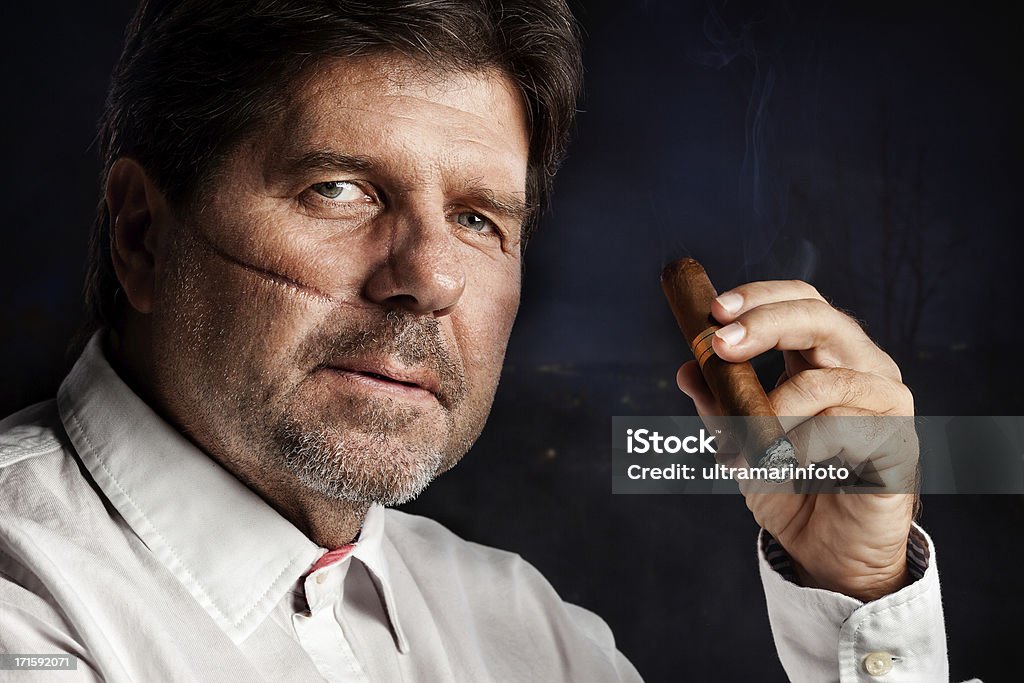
[(404, 115)]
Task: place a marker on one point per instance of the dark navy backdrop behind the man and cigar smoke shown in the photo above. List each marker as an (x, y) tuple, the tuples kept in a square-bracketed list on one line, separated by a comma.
[(870, 149)]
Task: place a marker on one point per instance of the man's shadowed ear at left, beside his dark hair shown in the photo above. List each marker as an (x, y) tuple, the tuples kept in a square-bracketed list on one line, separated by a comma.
[(138, 212)]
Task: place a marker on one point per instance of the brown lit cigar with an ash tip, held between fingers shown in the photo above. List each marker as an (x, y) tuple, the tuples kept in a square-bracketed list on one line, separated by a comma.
[(736, 386)]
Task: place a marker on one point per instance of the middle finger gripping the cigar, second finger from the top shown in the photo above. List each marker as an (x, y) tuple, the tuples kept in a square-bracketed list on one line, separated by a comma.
[(826, 337)]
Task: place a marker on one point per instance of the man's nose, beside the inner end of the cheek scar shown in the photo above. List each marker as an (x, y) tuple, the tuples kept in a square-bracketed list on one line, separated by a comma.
[(422, 272)]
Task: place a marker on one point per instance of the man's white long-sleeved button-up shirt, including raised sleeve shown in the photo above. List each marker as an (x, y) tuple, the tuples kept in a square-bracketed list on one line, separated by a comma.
[(123, 544)]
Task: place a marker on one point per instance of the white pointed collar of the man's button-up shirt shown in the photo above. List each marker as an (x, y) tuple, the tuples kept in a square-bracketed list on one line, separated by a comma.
[(234, 552)]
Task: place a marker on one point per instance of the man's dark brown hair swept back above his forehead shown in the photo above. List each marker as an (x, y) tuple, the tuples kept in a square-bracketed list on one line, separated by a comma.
[(196, 76)]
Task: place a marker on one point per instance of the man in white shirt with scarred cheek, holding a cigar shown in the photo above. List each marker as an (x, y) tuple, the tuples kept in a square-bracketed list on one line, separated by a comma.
[(307, 268)]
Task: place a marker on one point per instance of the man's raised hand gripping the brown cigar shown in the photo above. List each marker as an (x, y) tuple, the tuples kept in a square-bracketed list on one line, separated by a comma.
[(852, 544)]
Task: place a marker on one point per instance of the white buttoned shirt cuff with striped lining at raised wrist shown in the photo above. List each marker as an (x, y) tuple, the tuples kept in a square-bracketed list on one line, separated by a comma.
[(826, 636)]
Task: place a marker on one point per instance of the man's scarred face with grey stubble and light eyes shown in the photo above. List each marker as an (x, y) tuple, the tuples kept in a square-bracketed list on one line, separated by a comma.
[(337, 312)]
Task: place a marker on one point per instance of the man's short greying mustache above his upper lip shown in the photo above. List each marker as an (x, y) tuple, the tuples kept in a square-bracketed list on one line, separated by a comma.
[(414, 340)]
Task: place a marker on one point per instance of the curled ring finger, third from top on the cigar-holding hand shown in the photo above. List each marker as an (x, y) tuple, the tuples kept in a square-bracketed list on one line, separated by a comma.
[(814, 392)]
